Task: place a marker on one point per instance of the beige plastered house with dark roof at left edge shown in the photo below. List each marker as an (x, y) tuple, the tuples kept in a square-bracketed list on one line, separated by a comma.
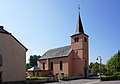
[(12, 58)]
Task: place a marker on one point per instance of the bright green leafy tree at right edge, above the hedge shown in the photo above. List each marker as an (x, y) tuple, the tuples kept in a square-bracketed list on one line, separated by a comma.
[(113, 64)]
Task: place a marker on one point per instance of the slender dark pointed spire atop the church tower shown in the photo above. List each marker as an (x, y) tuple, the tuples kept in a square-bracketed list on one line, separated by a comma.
[(79, 28)]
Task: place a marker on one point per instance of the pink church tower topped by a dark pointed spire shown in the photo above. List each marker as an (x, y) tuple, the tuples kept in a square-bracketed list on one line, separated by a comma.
[(79, 43)]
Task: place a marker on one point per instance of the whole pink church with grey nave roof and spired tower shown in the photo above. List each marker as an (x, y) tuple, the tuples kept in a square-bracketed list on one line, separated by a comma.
[(71, 60)]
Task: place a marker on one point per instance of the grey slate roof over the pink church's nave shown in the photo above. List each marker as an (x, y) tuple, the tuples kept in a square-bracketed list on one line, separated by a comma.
[(57, 52)]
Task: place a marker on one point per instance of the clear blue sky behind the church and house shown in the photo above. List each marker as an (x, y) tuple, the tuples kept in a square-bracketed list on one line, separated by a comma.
[(41, 25)]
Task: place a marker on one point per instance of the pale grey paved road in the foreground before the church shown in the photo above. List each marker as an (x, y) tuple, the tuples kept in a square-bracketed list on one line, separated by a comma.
[(86, 81)]
